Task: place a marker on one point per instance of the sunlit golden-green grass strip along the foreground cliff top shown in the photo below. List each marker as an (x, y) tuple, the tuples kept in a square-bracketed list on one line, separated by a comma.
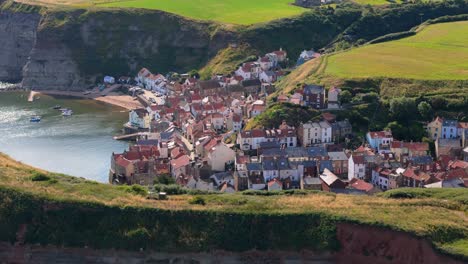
[(439, 215)]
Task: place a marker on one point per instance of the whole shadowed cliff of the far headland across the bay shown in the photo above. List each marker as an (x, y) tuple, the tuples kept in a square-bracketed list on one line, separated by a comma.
[(70, 50)]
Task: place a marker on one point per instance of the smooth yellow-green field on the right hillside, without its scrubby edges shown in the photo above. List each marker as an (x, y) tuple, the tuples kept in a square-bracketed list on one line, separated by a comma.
[(438, 52)]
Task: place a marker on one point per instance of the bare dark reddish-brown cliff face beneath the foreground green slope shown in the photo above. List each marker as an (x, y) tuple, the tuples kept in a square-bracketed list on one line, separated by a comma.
[(359, 244)]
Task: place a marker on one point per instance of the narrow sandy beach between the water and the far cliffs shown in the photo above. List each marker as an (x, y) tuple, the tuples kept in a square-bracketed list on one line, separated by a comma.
[(124, 101)]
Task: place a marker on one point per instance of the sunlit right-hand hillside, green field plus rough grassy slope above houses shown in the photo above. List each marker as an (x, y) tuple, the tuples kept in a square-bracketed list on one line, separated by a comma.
[(432, 62)]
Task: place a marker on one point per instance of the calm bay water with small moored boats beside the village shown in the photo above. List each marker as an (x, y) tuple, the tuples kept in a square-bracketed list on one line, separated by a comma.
[(79, 145)]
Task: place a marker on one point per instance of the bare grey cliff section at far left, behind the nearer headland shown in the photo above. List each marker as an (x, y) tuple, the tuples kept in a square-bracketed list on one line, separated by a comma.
[(17, 37)]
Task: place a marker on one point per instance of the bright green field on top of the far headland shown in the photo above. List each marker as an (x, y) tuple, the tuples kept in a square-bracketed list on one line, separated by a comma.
[(242, 12)]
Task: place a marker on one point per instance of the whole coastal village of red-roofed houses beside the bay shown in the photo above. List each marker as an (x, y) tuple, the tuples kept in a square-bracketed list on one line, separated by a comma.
[(194, 132)]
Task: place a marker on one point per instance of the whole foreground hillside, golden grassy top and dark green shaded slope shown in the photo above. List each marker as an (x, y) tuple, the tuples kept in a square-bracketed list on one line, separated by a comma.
[(77, 211)]
